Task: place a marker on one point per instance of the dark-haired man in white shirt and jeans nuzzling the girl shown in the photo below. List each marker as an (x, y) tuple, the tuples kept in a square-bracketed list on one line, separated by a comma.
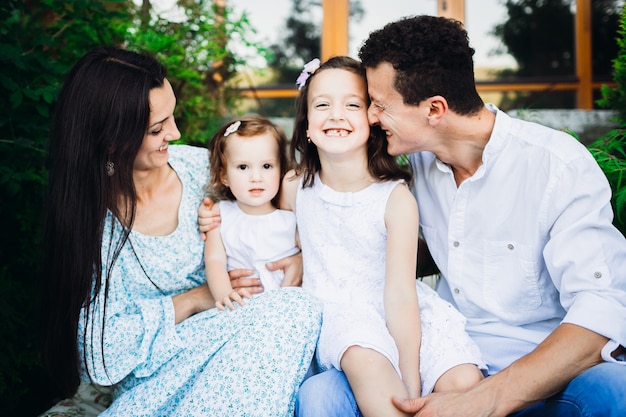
[(517, 217)]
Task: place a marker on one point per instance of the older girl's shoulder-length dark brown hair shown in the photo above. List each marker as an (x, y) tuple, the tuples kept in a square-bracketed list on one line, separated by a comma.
[(381, 165)]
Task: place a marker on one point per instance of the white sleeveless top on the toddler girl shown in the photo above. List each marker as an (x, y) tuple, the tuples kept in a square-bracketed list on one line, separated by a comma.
[(253, 240)]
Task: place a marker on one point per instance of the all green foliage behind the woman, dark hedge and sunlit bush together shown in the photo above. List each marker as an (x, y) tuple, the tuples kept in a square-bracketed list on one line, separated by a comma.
[(39, 42)]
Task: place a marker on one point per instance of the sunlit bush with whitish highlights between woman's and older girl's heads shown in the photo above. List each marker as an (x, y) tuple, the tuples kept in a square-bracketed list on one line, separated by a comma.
[(197, 54)]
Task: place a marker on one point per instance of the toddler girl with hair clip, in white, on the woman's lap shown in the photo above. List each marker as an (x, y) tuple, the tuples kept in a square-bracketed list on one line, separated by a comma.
[(248, 159)]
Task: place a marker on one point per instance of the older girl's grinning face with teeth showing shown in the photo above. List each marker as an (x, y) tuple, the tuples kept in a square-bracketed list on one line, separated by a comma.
[(337, 108)]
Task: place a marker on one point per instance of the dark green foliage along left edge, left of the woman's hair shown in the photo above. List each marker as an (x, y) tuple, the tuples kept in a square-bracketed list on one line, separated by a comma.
[(38, 43)]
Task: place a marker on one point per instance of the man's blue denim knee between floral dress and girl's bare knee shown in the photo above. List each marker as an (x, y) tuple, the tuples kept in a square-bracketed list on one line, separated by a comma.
[(326, 394)]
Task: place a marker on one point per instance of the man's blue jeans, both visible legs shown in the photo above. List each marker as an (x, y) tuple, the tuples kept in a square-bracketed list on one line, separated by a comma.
[(598, 392)]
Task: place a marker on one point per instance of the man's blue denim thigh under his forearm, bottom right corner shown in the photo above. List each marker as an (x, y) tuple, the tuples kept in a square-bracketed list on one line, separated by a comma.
[(598, 392)]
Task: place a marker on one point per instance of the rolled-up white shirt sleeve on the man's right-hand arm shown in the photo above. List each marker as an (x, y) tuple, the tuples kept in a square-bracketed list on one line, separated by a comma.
[(585, 254)]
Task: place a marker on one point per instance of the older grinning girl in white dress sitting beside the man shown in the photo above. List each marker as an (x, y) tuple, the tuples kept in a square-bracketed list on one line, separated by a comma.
[(358, 228)]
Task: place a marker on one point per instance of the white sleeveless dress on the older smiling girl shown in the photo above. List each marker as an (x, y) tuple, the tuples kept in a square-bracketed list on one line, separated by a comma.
[(343, 238)]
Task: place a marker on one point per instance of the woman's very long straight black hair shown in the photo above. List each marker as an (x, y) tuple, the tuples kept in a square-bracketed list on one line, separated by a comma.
[(100, 117)]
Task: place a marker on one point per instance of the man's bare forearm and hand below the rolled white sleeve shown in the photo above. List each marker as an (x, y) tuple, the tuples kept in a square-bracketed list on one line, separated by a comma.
[(568, 351)]
